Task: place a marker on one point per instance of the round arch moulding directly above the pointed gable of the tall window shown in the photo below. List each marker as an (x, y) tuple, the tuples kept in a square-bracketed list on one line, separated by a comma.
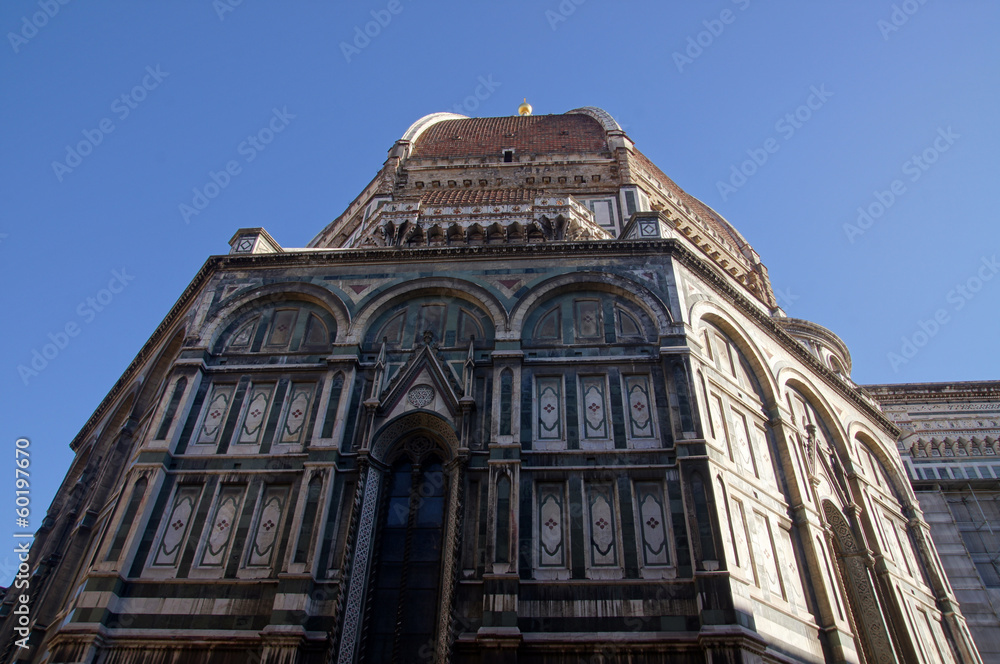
[(459, 288)]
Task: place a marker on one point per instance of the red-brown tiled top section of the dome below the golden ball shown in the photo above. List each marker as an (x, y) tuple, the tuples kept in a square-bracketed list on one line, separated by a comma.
[(533, 134)]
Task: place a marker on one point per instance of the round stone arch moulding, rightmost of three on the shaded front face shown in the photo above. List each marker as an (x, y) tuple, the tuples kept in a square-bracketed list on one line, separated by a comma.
[(611, 283)]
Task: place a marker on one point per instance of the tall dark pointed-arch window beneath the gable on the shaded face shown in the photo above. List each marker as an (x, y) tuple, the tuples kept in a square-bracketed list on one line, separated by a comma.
[(411, 494)]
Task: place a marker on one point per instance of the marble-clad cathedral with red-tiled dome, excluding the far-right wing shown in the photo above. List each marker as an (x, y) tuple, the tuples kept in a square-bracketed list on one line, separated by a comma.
[(524, 400)]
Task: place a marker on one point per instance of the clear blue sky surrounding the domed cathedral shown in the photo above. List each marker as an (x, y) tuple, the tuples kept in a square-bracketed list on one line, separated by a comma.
[(209, 77)]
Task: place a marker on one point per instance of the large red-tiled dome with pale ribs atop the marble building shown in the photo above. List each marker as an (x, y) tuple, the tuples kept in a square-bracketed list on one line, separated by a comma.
[(581, 162)]
